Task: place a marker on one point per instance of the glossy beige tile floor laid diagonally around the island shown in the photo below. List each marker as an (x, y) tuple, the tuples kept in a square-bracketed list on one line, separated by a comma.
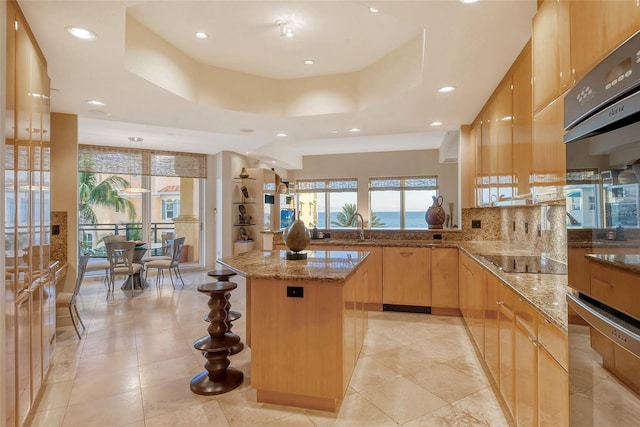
[(133, 365)]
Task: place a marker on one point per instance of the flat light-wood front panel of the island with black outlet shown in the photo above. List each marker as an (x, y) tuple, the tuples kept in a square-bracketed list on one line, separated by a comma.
[(297, 343)]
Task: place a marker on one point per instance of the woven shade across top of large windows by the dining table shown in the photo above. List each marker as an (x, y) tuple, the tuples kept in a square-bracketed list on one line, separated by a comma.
[(132, 161)]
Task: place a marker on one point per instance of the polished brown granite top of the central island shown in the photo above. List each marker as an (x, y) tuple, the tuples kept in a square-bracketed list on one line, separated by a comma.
[(320, 265)]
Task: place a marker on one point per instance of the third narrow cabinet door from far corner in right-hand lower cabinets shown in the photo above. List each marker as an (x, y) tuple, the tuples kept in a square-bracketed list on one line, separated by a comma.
[(491, 329)]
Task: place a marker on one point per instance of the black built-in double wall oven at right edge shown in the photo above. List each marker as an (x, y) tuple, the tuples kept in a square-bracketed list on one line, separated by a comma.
[(602, 119)]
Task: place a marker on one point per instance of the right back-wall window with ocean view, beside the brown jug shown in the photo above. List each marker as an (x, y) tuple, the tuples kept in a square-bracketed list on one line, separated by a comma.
[(401, 203)]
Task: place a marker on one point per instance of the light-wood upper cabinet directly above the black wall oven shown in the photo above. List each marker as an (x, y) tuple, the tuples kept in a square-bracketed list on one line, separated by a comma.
[(598, 27)]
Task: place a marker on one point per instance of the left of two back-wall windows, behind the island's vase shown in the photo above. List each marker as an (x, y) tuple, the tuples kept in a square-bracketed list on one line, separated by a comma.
[(327, 203)]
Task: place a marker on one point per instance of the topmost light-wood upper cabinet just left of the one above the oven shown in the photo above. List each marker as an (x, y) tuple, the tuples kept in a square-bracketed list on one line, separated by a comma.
[(551, 66)]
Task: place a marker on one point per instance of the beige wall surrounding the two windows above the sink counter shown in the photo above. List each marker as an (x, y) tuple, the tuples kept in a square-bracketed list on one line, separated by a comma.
[(386, 164)]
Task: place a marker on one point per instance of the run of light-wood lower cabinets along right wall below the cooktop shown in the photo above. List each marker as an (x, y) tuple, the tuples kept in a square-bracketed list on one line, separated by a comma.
[(525, 353)]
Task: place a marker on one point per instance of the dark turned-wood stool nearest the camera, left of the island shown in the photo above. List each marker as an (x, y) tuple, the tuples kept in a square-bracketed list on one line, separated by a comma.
[(218, 377)]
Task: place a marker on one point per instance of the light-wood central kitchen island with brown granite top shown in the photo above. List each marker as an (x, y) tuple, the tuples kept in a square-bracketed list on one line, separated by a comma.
[(305, 323)]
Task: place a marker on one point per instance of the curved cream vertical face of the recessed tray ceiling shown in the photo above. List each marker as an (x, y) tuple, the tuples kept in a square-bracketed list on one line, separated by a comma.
[(152, 58)]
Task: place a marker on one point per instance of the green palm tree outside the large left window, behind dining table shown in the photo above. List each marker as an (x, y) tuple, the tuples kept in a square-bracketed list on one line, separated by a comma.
[(104, 193)]
